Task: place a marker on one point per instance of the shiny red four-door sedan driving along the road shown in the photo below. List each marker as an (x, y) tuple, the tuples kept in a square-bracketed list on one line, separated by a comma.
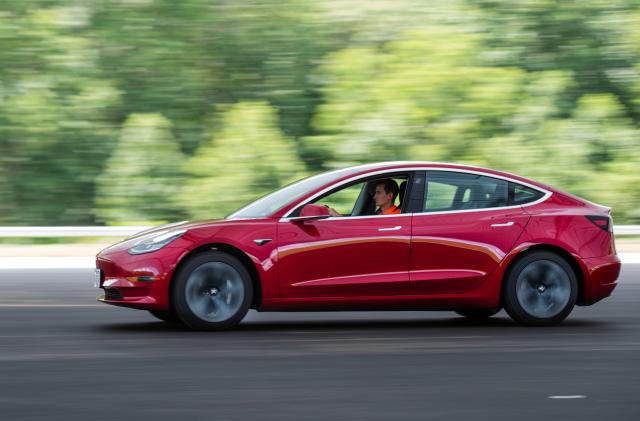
[(386, 236)]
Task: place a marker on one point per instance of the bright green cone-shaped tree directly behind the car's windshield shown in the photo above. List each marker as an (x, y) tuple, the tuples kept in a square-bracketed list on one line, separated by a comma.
[(249, 157)]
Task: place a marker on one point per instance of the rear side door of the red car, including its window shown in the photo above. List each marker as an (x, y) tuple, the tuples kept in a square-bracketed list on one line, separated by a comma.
[(465, 229)]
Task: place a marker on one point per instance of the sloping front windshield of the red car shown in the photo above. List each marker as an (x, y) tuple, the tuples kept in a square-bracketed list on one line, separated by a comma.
[(272, 202)]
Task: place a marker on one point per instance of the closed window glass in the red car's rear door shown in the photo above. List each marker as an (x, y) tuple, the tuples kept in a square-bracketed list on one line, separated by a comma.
[(451, 191)]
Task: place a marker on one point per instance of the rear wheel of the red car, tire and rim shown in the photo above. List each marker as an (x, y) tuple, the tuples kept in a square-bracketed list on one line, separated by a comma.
[(540, 289)]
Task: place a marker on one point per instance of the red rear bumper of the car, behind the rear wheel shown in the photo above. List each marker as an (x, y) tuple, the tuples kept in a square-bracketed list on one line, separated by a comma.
[(600, 278)]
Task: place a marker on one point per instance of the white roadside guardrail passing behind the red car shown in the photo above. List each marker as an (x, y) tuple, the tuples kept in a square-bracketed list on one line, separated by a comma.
[(53, 232)]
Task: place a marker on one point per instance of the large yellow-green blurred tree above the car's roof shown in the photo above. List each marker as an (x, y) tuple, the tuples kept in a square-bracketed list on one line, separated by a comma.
[(413, 97)]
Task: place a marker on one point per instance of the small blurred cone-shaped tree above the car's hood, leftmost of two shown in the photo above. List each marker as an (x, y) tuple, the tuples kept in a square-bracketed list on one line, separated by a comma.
[(142, 175)]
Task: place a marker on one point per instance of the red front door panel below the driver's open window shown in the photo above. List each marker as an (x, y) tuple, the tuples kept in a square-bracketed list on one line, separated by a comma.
[(344, 256)]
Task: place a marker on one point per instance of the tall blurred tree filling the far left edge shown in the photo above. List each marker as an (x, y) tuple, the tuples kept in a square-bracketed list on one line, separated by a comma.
[(56, 114)]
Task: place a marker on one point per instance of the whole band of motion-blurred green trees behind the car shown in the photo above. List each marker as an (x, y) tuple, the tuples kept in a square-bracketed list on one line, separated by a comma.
[(149, 110)]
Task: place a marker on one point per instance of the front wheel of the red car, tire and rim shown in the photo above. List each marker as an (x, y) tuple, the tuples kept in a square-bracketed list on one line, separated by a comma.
[(212, 291)]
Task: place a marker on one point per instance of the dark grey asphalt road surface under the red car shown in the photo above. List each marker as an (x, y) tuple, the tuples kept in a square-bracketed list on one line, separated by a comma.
[(65, 357)]
